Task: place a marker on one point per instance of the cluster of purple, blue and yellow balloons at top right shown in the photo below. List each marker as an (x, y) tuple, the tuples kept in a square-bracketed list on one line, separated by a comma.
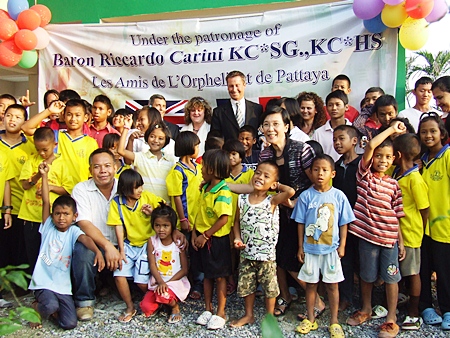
[(411, 16)]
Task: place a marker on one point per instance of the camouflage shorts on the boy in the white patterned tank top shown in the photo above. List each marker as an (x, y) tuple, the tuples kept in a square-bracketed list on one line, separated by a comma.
[(253, 272)]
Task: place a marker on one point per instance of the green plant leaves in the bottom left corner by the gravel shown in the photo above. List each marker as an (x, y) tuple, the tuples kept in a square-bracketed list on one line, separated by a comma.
[(10, 276)]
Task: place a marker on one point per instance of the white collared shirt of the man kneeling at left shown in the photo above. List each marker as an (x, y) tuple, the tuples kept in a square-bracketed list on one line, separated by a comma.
[(93, 206)]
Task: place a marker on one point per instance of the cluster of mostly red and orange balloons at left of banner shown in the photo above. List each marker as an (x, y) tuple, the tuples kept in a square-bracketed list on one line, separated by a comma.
[(22, 33)]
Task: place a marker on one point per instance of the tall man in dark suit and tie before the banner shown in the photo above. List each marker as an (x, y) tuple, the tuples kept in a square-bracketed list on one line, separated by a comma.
[(230, 117)]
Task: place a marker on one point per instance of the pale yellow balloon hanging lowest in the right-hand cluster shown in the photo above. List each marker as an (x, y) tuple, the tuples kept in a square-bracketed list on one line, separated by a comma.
[(413, 33)]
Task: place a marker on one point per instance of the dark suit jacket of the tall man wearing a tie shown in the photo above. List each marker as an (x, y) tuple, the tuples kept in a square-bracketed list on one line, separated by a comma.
[(224, 120)]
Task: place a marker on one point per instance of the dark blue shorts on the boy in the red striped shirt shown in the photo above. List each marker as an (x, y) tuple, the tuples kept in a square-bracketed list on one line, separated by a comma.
[(377, 261)]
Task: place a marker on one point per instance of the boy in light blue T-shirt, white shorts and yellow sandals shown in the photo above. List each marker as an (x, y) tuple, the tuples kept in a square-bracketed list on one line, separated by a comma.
[(322, 213)]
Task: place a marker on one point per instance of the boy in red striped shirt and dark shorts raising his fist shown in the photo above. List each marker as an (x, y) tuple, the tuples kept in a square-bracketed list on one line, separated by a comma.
[(377, 210)]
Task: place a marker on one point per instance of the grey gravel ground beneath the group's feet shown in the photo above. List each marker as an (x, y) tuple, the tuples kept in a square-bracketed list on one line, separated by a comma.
[(108, 308)]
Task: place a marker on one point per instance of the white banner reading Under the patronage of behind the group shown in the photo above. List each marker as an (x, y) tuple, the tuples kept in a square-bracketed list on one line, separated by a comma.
[(281, 53)]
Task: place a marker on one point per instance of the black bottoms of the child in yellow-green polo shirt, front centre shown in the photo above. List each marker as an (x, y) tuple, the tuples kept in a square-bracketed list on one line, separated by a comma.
[(214, 259)]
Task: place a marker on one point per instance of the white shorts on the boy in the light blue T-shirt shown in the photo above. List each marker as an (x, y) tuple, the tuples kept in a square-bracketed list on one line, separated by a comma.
[(329, 265)]
